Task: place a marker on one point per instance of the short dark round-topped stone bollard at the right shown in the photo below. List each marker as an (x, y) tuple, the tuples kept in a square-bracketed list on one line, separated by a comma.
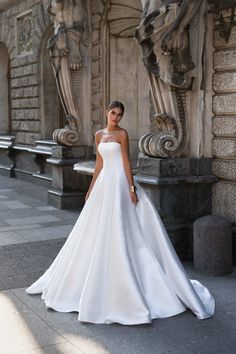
[(213, 245)]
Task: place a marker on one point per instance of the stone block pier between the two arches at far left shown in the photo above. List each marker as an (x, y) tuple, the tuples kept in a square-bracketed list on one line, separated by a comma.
[(22, 27)]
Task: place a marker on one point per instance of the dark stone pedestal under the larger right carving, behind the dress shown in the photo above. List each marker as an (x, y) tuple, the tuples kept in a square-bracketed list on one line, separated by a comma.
[(180, 189)]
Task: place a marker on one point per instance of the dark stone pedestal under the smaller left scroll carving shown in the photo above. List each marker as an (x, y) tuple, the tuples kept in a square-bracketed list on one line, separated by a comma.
[(68, 187)]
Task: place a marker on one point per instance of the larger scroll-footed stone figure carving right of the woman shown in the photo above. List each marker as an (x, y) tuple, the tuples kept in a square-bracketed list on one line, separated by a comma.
[(163, 34)]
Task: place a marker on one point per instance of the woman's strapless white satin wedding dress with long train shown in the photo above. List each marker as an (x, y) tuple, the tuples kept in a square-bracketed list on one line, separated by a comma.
[(118, 264)]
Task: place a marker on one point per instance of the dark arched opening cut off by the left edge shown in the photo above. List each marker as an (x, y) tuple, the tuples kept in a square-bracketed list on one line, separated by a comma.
[(4, 90)]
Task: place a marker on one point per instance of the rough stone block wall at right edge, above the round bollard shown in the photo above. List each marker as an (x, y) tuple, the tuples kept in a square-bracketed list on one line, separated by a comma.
[(224, 124)]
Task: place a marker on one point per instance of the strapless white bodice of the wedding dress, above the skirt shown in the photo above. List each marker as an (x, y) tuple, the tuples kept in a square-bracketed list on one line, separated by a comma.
[(111, 154)]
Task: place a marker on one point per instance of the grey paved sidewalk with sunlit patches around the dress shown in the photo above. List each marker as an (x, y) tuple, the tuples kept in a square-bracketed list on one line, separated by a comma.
[(31, 234)]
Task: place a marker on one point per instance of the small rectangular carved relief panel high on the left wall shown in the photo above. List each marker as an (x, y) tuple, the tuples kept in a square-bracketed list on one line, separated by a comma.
[(24, 34)]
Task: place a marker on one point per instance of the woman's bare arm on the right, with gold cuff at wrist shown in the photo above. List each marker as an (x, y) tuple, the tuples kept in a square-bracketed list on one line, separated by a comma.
[(124, 140)]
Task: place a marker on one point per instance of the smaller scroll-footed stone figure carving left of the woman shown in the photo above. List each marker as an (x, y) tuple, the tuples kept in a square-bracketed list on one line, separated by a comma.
[(65, 51)]
